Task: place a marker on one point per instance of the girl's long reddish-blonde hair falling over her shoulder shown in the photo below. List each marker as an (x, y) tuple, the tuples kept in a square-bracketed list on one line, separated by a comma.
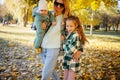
[(79, 28)]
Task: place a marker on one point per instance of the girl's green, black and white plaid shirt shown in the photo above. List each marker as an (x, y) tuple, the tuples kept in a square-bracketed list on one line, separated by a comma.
[(71, 46)]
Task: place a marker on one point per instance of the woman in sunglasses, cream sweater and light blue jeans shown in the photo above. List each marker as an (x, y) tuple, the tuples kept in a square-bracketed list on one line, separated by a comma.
[(51, 41)]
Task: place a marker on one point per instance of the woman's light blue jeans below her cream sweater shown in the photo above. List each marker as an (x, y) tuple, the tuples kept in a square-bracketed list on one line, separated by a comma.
[(49, 59)]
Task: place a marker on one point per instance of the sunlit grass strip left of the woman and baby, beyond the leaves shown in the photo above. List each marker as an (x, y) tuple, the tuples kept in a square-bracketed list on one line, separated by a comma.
[(17, 34)]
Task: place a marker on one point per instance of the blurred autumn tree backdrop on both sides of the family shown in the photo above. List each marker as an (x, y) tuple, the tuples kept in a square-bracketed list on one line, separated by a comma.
[(94, 14)]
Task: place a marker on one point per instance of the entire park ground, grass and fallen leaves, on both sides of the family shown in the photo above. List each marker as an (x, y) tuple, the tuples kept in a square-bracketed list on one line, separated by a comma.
[(18, 61)]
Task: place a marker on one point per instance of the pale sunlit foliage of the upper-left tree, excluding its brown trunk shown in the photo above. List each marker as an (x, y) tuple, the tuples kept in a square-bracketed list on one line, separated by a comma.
[(16, 8)]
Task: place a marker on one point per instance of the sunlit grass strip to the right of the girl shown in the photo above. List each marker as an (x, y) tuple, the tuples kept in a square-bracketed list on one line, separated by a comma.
[(104, 40)]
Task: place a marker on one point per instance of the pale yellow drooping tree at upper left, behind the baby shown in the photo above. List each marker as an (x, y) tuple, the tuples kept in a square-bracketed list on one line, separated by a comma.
[(20, 9)]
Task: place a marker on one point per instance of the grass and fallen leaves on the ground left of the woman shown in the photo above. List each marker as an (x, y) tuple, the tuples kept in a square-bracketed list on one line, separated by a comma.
[(18, 60)]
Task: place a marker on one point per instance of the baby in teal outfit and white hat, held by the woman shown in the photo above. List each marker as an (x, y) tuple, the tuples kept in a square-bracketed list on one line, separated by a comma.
[(41, 15)]
